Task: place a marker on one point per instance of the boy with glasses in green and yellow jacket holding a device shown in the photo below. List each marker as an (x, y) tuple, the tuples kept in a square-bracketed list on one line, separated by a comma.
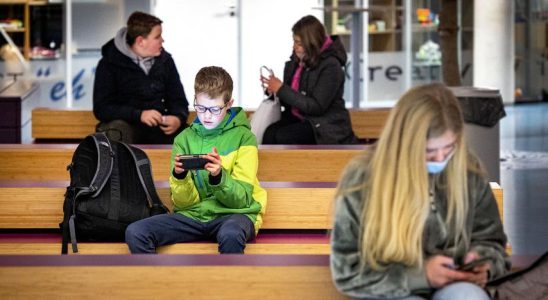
[(222, 202)]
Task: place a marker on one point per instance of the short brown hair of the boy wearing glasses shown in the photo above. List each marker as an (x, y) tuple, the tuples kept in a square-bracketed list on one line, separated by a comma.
[(214, 82)]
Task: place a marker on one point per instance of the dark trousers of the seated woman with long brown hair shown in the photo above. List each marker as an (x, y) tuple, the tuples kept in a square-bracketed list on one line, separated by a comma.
[(289, 131)]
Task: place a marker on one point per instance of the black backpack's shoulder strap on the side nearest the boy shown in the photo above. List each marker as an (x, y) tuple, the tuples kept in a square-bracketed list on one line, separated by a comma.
[(144, 170)]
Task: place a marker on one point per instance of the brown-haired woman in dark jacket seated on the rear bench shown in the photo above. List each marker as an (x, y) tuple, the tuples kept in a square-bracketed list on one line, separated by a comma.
[(311, 93)]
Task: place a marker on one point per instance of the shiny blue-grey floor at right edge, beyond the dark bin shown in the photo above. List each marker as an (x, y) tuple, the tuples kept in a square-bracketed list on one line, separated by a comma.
[(524, 176)]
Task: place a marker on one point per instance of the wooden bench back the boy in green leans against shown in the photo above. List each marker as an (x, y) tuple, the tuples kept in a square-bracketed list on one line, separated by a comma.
[(291, 205)]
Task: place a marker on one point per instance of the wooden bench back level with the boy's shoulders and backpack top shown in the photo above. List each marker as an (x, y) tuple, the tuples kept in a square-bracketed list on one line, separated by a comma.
[(276, 163)]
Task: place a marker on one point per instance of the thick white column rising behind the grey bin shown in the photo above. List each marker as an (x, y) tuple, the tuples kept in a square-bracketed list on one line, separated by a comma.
[(494, 46)]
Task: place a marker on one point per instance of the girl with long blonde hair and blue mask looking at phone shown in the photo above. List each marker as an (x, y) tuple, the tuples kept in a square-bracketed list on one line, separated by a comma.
[(415, 207)]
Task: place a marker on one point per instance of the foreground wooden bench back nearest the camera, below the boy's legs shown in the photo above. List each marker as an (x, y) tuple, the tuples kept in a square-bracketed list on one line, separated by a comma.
[(167, 277)]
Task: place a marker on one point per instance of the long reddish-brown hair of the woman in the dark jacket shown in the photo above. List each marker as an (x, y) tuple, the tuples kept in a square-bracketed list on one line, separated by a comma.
[(312, 34)]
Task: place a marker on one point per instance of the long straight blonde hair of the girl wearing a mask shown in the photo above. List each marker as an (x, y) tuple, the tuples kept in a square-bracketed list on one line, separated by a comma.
[(396, 195)]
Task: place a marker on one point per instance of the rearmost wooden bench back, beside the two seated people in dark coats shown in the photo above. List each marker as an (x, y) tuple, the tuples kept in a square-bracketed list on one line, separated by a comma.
[(73, 124)]
